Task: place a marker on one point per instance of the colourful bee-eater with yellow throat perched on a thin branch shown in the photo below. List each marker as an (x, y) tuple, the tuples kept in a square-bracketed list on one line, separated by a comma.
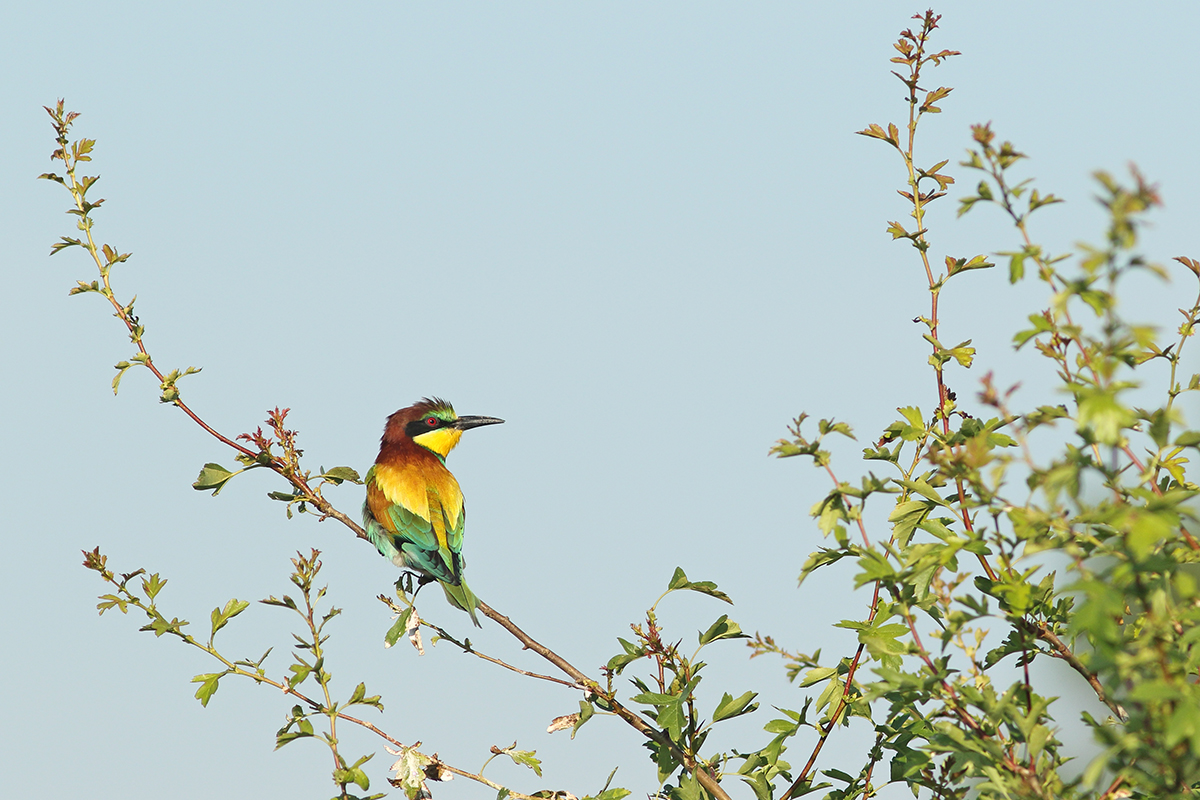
[(415, 513)]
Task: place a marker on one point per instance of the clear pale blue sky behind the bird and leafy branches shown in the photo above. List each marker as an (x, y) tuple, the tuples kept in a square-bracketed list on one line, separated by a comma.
[(644, 234)]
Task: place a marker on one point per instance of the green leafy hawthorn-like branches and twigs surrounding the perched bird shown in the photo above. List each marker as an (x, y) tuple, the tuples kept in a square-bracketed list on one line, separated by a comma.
[(1055, 530)]
